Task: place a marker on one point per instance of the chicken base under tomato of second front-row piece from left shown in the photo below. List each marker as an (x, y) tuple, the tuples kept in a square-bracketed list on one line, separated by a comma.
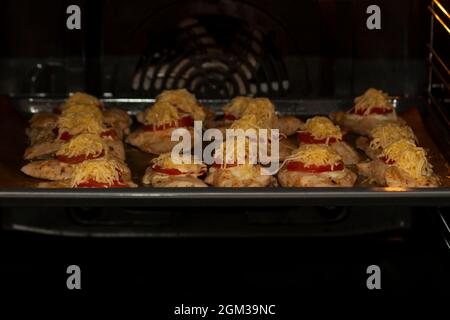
[(161, 180)]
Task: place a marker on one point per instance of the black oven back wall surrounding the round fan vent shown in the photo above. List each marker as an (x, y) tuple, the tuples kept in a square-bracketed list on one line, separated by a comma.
[(323, 45)]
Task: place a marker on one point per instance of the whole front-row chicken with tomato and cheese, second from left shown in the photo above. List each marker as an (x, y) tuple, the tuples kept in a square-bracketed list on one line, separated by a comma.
[(163, 172)]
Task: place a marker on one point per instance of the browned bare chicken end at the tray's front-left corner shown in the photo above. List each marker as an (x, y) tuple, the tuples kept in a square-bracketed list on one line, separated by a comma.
[(48, 169)]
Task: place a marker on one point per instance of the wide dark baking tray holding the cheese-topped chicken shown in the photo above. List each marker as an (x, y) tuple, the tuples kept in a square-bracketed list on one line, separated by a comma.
[(17, 189)]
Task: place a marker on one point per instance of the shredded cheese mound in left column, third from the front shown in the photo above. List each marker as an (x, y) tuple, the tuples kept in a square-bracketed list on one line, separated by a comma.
[(76, 123)]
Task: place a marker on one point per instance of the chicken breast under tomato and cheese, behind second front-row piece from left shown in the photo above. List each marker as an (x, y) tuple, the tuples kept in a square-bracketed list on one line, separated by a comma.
[(155, 142)]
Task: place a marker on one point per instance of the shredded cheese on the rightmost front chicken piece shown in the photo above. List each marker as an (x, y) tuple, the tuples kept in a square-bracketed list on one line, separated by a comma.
[(409, 158)]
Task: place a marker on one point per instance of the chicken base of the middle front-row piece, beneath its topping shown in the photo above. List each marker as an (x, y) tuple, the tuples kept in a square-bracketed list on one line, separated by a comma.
[(238, 176)]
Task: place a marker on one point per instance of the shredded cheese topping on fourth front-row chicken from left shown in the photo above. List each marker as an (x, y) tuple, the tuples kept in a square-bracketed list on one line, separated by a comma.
[(315, 155)]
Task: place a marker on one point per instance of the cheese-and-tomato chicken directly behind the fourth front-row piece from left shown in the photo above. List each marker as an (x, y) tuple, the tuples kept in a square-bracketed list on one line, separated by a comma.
[(321, 130)]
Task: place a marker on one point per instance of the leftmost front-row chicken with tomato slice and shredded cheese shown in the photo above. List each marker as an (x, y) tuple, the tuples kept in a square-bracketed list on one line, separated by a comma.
[(97, 173)]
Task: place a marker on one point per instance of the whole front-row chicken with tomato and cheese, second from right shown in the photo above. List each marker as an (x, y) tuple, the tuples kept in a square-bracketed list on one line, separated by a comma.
[(315, 165)]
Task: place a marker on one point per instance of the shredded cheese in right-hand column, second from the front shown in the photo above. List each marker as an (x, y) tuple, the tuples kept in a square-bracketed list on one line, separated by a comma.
[(384, 135)]
